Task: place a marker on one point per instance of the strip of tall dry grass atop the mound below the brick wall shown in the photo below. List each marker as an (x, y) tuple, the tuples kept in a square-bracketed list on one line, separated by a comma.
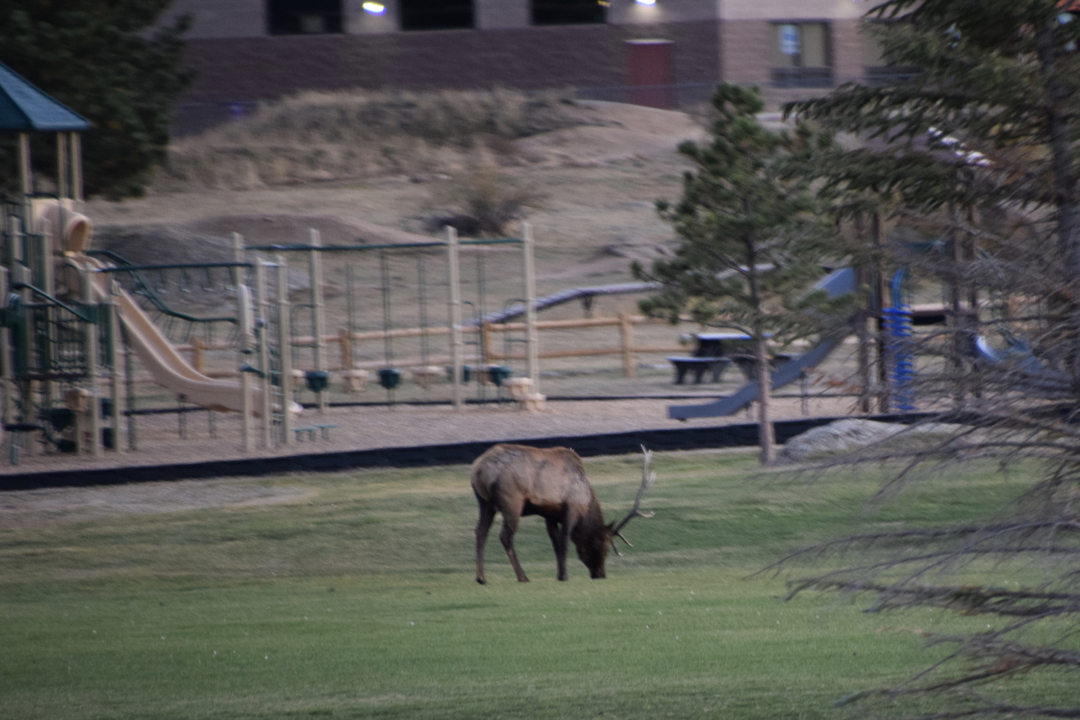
[(349, 135)]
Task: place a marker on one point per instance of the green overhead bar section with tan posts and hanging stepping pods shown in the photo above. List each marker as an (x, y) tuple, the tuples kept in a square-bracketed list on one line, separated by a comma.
[(399, 282)]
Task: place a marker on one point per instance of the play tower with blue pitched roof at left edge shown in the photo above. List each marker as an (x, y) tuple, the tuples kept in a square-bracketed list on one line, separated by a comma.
[(30, 310)]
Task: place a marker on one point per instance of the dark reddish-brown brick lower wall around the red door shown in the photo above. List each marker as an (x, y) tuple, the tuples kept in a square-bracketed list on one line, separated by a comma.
[(588, 57)]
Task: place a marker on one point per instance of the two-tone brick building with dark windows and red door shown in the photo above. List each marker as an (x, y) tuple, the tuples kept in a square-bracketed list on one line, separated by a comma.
[(248, 51)]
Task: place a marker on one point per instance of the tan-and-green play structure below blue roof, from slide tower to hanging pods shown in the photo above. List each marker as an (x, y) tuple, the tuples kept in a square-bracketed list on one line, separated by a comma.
[(97, 300)]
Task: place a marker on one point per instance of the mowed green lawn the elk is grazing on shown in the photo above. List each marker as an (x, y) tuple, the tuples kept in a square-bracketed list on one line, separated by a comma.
[(354, 596)]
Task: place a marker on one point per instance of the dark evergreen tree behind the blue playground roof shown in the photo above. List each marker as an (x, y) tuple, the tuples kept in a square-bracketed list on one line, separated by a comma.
[(104, 60)]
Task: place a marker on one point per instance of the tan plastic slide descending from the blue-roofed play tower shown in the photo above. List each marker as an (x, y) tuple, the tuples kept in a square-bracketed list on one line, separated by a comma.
[(167, 366)]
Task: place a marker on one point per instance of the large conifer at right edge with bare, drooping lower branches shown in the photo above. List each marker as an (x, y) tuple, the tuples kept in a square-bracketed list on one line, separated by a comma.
[(982, 143)]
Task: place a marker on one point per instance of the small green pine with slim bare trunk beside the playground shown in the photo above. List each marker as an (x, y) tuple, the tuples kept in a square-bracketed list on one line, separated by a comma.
[(751, 239)]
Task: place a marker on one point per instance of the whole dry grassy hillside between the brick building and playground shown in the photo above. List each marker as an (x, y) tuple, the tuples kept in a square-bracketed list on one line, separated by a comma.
[(389, 168)]
